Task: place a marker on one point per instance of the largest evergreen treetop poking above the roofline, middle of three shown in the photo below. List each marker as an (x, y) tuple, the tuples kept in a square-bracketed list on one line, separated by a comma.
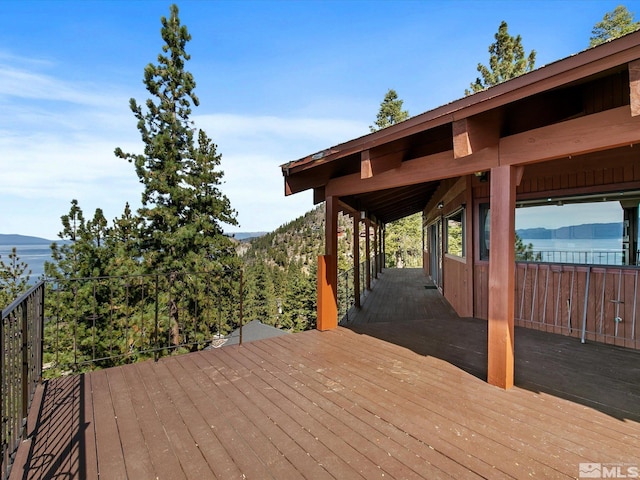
[(506, 61)]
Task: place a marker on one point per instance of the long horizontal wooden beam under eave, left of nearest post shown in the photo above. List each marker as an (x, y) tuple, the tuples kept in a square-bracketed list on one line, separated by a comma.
[(412, 172)]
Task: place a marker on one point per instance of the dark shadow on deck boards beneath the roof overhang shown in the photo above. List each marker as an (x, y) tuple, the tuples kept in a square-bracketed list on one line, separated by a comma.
[(404, 308)]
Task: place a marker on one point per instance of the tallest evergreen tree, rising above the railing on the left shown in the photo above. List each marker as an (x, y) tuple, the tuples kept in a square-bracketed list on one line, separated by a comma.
[(182, 206)]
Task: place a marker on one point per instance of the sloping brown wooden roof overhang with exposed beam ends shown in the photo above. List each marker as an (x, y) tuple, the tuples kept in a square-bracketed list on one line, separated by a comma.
[(394, 171)]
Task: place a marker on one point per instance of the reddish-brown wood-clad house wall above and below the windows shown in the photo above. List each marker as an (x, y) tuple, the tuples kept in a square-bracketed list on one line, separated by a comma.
[(596, 303)]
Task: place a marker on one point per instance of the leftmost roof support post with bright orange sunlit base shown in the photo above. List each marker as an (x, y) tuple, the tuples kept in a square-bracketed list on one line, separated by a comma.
[(327, 288)]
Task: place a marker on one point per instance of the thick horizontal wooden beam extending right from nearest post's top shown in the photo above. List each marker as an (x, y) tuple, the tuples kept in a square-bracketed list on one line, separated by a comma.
[(600, 131)]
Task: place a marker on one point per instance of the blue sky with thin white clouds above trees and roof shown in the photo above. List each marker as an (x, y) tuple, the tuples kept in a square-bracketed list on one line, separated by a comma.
[(277, 80)]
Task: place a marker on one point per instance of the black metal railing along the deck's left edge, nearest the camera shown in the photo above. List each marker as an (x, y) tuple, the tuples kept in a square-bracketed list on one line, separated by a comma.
[(20, 368)]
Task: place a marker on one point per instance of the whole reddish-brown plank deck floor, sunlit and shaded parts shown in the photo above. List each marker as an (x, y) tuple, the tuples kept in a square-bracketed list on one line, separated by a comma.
[(403, 398)]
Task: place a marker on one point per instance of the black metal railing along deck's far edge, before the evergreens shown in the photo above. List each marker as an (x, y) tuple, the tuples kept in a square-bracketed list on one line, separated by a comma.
[(108, 321)]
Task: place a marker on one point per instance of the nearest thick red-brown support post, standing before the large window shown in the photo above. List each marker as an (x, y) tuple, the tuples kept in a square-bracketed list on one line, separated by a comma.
[(500, 370)]
